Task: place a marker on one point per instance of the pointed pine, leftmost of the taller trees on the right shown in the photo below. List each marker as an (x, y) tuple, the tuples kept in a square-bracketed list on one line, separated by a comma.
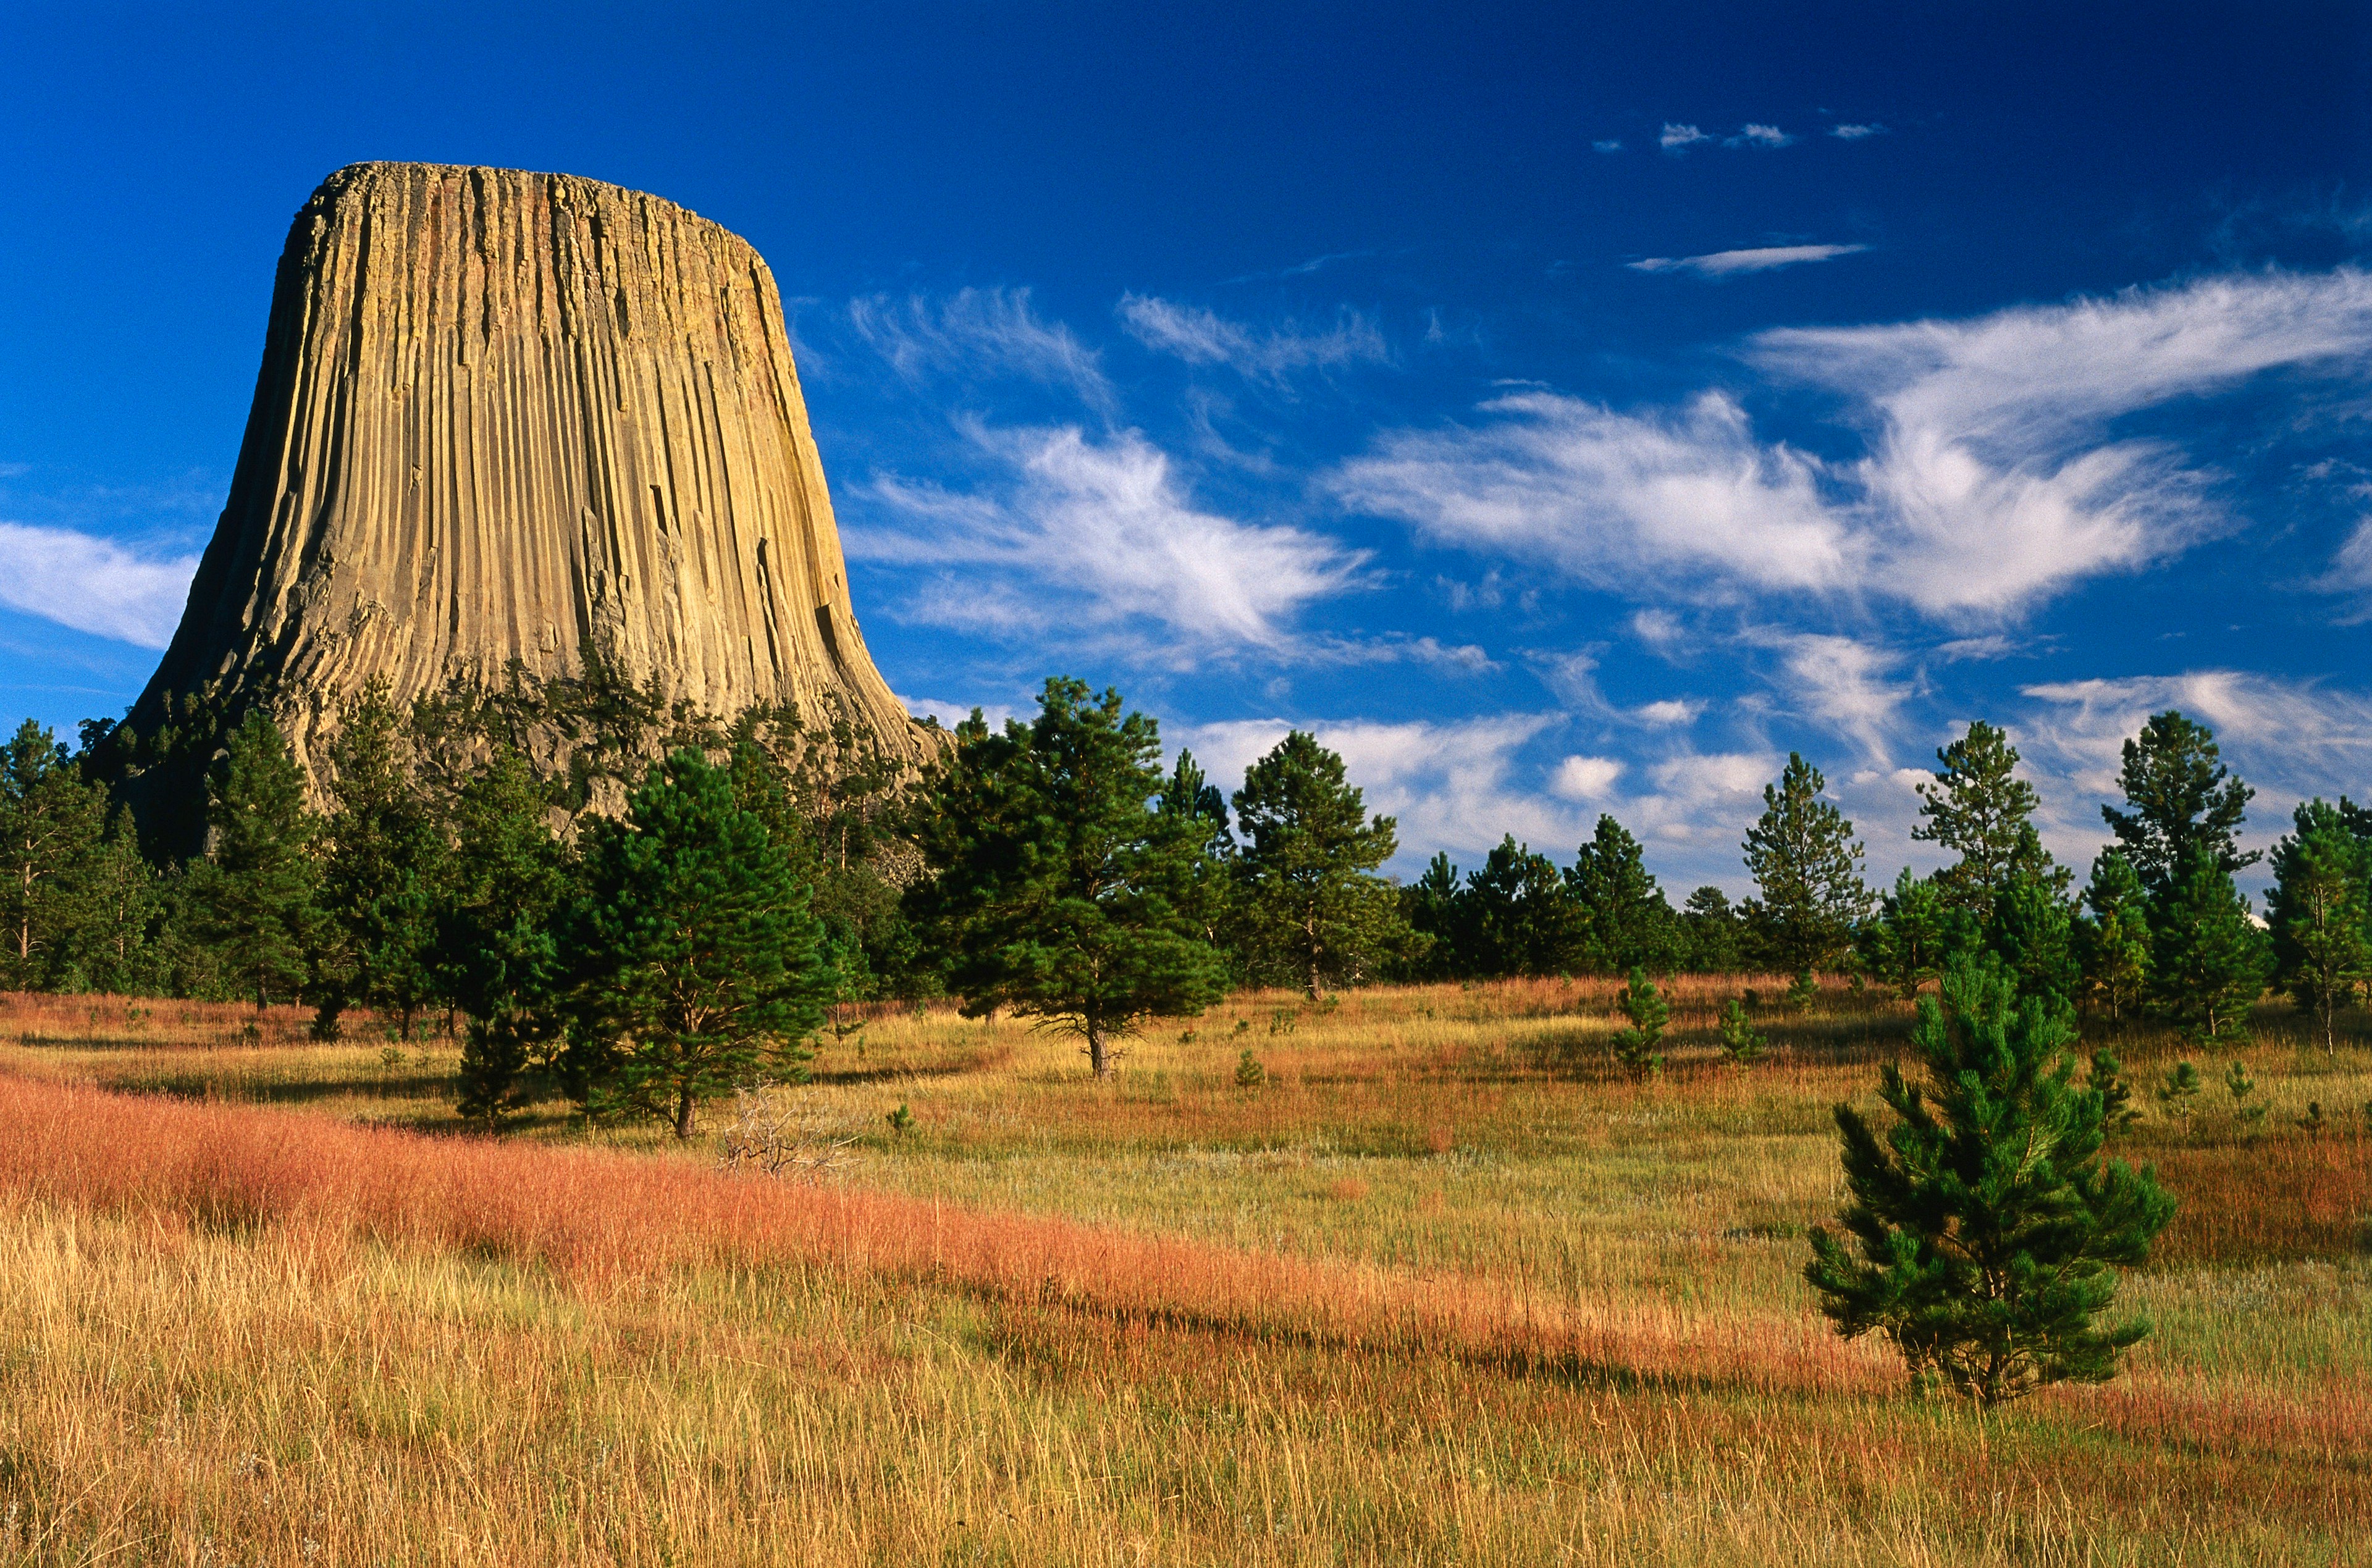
[(1809, 869)]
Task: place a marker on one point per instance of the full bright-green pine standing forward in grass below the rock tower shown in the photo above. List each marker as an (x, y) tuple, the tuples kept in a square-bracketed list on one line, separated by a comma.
[(699, 962)]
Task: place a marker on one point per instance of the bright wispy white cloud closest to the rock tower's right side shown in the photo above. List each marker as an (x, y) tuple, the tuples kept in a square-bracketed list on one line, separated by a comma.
[(1097, 535)]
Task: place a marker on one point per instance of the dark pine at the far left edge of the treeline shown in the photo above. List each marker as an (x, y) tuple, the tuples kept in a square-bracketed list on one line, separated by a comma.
[(51, 836)]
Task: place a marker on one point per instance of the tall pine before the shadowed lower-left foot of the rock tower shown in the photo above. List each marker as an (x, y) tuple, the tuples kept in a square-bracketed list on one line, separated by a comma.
[(257, 891)]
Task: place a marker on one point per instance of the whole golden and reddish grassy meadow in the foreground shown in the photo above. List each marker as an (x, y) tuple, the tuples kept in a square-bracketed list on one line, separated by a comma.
[(1441, 1289)]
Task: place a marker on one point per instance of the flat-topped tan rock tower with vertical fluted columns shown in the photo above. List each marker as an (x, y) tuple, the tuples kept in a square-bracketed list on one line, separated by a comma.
[(523, 416)]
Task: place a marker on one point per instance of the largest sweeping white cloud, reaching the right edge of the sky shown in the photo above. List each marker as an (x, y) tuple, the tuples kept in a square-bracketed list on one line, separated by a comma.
[(1989, 478)]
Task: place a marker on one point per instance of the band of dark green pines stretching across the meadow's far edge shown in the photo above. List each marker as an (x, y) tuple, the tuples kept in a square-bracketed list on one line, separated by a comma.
[(642, 905)]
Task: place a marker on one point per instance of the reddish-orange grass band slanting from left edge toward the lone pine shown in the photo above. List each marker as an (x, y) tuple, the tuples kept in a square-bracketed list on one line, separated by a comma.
[(608, 1218)]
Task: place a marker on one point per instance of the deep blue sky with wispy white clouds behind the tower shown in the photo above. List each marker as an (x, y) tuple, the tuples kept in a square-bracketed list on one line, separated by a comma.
[(1560, 414)]
